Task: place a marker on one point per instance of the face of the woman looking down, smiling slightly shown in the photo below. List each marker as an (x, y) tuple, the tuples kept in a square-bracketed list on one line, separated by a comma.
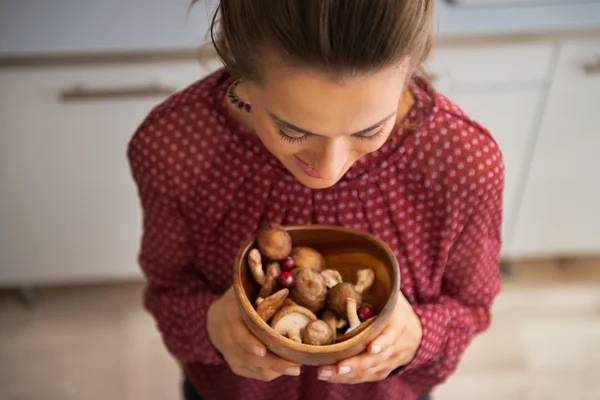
[(318, 127)]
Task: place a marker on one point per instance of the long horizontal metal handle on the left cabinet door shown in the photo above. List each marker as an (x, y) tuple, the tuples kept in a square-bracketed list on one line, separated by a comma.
[(80, 93)]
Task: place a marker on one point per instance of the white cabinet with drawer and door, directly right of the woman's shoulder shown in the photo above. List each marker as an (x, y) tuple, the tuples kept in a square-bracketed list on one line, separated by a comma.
[(502, 88)]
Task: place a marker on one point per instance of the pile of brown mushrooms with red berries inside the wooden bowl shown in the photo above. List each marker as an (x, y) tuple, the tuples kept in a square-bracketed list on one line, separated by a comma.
[(300, 298)]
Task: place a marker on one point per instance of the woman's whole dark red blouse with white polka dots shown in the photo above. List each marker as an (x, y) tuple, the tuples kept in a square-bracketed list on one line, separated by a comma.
[(433, 193)]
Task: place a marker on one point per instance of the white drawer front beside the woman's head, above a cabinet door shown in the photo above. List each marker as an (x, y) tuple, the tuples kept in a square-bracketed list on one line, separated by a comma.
[(457, 66)]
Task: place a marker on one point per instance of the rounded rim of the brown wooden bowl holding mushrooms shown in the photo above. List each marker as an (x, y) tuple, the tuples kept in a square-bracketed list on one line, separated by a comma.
[(307, 348)]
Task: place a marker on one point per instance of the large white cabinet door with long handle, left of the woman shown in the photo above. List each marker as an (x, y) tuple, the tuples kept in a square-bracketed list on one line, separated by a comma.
[(69, 209)]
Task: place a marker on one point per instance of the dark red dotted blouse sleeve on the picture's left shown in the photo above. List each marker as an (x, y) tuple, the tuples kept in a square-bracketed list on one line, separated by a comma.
[(176, 295)]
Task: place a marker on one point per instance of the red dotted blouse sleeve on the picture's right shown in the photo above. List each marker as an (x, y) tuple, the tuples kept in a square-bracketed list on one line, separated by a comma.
[(470, 283)]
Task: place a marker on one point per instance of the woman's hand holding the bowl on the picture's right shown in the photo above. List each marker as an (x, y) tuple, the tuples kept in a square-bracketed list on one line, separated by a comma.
[(395, 347)]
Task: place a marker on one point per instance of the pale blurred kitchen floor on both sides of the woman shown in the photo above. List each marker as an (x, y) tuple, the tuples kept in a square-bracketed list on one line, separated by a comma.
[(97, 343)]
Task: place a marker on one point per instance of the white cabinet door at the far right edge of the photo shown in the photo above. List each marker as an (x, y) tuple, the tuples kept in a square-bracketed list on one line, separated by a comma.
[(559, 214)]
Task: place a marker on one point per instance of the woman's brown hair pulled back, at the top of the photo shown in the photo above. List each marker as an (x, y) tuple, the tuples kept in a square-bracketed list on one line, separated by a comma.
[(340, 37)]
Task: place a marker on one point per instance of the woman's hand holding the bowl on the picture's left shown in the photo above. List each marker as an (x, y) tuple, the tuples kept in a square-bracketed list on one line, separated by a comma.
[(245, 355)]
